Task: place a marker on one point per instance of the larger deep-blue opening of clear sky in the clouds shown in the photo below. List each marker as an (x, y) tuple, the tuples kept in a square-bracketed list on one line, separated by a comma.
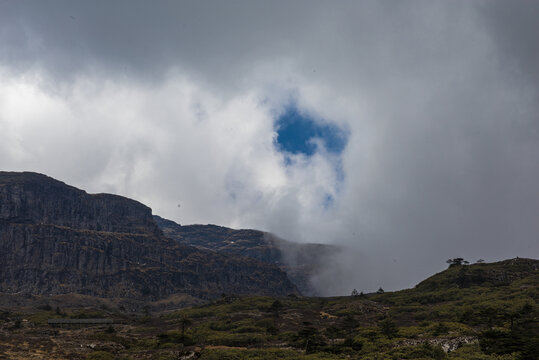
[(296, 130)]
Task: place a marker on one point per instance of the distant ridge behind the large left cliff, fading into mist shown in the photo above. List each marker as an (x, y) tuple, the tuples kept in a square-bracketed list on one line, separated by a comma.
[(300, 261)]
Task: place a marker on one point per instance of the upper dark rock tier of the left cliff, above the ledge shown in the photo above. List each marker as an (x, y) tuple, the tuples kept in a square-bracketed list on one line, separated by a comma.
[(37, 199)]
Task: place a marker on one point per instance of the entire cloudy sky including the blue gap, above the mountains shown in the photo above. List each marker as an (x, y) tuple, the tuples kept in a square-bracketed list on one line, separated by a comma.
[(406, 132)]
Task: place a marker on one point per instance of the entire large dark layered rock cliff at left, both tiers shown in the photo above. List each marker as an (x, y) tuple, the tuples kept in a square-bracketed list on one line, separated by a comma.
[(56, 239)]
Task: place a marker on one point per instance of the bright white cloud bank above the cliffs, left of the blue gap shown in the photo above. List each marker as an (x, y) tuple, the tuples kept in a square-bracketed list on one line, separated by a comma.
[(169, 144)]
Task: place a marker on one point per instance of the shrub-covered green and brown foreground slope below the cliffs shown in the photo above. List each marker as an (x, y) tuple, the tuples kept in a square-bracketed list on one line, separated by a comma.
[(479, 321)]
